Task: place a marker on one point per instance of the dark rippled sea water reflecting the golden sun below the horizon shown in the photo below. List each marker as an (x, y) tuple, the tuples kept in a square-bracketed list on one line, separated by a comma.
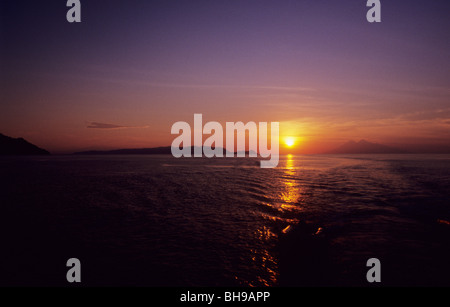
[(161, 221)]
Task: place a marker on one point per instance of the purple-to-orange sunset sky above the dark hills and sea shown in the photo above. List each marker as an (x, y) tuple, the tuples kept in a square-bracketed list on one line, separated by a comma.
[(130, 69)]
